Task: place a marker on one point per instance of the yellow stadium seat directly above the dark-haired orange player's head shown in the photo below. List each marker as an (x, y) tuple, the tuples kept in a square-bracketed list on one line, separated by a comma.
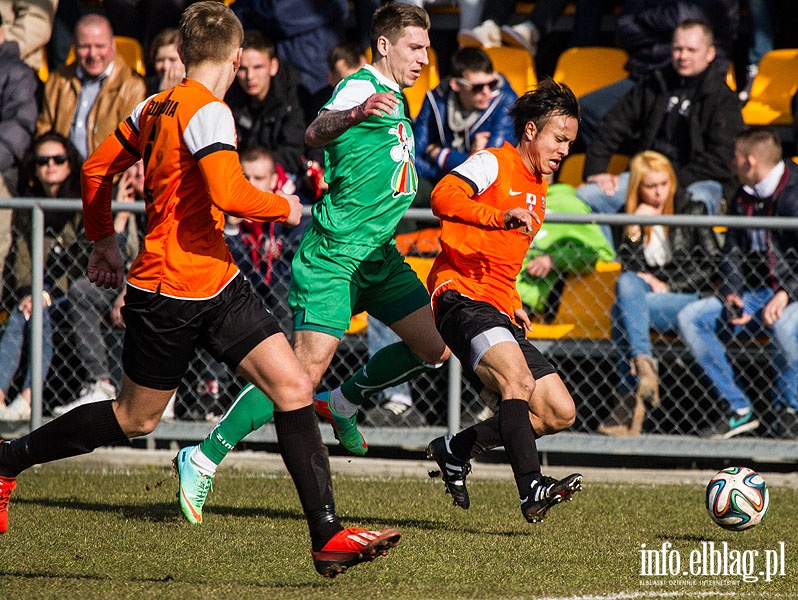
[(589, 68)]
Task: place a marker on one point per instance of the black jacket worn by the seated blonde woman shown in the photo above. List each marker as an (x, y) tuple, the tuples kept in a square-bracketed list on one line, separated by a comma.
[(695, 252)]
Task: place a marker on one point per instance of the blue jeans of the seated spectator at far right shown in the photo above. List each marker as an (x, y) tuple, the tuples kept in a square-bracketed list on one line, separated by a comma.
[(704, 329)]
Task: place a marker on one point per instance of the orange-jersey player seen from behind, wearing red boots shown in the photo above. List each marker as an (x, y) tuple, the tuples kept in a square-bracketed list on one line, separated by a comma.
[(184, 291)]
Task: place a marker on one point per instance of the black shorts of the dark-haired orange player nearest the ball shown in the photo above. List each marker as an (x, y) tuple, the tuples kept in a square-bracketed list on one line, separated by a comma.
[(461, 320)]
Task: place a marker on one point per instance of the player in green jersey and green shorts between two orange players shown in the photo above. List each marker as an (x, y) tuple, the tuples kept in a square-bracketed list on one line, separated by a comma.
[(347, 262)]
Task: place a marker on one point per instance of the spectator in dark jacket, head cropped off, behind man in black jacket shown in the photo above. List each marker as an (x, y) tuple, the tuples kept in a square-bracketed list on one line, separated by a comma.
[(644, 30)]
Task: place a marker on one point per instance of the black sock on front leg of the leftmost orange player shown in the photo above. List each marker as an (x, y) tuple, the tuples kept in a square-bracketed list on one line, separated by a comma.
[(305, 457)]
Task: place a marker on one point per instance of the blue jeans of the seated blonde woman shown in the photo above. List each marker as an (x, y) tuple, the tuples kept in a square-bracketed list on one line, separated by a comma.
[(632, 326)]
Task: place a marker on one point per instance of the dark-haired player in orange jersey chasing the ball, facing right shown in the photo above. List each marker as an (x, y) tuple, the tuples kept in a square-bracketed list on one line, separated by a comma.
[(491, 207)]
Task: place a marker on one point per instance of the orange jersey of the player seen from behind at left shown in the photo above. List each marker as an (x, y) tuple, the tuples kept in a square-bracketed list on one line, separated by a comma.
[(192, 176)]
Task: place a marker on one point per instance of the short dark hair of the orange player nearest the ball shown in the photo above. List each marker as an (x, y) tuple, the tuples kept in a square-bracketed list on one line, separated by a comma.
[(548, 99)]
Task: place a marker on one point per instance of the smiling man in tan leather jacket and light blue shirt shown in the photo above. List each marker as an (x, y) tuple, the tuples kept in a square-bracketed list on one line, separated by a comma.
[(87, 99)]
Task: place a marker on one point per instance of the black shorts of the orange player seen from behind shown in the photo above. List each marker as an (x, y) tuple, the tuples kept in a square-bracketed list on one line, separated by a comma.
[(162, 334)]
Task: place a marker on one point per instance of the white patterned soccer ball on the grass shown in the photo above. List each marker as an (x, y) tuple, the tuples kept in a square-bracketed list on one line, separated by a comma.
[(737, 498)]
